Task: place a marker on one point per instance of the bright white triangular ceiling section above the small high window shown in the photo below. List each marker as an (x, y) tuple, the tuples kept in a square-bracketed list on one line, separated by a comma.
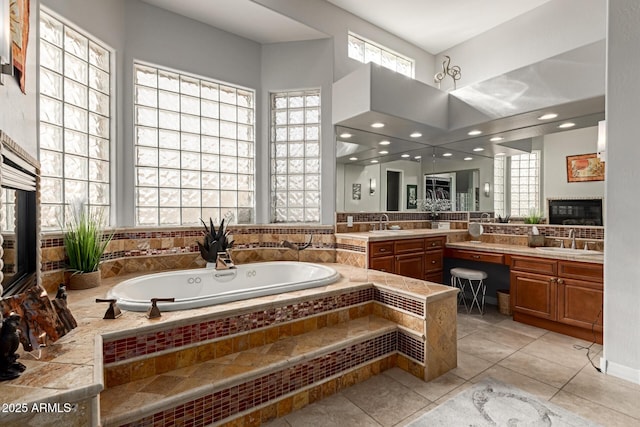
[(437, 25)]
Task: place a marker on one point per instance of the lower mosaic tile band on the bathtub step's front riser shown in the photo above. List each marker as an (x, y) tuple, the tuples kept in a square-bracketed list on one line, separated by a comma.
[(224, 403)]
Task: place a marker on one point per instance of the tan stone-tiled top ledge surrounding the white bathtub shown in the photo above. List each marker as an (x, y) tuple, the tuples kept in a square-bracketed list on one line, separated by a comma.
[(70, 369)]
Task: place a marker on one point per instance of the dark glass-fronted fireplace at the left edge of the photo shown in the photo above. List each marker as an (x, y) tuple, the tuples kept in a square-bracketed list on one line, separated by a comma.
[(19, 229)]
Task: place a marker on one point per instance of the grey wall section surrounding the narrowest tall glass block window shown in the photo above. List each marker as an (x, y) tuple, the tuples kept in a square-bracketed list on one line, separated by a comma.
[(294, 66)]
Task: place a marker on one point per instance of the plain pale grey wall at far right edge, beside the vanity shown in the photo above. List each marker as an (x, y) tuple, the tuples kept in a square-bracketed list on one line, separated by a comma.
[(622, 292)]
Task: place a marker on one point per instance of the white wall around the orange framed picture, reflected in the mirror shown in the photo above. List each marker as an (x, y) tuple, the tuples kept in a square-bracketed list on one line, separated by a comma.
[(557, 147)]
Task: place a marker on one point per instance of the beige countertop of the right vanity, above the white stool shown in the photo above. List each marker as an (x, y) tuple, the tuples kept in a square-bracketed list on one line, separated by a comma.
[(567, 254)]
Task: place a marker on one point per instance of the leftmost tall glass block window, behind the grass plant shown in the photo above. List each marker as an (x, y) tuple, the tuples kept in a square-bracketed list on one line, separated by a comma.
[(75, 121)]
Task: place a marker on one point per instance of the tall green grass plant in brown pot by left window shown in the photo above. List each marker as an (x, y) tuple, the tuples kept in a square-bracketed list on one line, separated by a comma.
[(84, 244)]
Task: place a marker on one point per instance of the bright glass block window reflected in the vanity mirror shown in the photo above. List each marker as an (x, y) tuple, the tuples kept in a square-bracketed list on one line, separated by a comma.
[(523, 174)]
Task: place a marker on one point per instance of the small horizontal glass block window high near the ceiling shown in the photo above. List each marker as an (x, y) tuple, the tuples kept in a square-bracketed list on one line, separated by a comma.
[(364, 50)]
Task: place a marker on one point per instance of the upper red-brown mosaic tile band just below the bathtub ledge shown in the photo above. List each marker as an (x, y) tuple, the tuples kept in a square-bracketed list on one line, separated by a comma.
[(140, 345)]
